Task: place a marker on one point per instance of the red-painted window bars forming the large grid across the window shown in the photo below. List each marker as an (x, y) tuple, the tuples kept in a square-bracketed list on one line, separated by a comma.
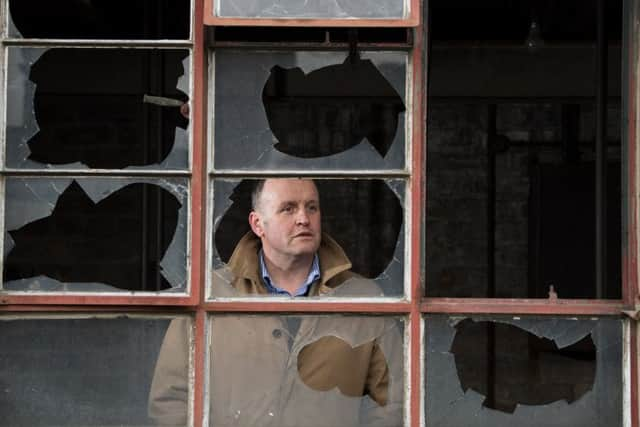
[(416, 306)]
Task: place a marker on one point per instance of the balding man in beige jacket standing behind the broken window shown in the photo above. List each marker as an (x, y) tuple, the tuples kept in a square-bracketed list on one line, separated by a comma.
[(288, 371)]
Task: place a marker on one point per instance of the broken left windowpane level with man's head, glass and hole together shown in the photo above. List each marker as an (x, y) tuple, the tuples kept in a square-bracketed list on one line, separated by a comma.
[(95, 234)]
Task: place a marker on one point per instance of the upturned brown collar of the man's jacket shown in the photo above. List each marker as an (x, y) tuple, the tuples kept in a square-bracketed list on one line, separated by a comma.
[(244, 262)]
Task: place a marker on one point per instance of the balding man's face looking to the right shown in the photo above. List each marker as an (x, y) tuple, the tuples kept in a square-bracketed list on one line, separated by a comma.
[(287, 218)]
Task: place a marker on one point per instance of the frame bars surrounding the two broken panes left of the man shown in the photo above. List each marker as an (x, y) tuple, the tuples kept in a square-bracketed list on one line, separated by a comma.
[(190, 295)]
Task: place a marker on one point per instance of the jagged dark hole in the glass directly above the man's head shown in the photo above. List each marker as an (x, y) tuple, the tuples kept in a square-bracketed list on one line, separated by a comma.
[(331, 109)]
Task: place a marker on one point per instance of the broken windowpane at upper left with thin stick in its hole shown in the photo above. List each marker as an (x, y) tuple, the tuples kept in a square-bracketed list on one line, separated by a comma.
[(97, 108)]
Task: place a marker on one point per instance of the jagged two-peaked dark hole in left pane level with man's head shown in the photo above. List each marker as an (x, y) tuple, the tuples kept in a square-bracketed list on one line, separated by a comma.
[(118, 241)]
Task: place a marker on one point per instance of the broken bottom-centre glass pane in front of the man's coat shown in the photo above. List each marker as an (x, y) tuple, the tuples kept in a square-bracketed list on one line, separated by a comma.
[(320, 371)]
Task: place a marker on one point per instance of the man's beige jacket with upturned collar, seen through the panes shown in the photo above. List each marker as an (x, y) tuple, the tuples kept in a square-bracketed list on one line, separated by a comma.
[(334, 371)]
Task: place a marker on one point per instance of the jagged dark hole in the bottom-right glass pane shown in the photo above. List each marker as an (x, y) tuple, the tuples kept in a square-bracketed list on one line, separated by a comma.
[(510, 366)]
